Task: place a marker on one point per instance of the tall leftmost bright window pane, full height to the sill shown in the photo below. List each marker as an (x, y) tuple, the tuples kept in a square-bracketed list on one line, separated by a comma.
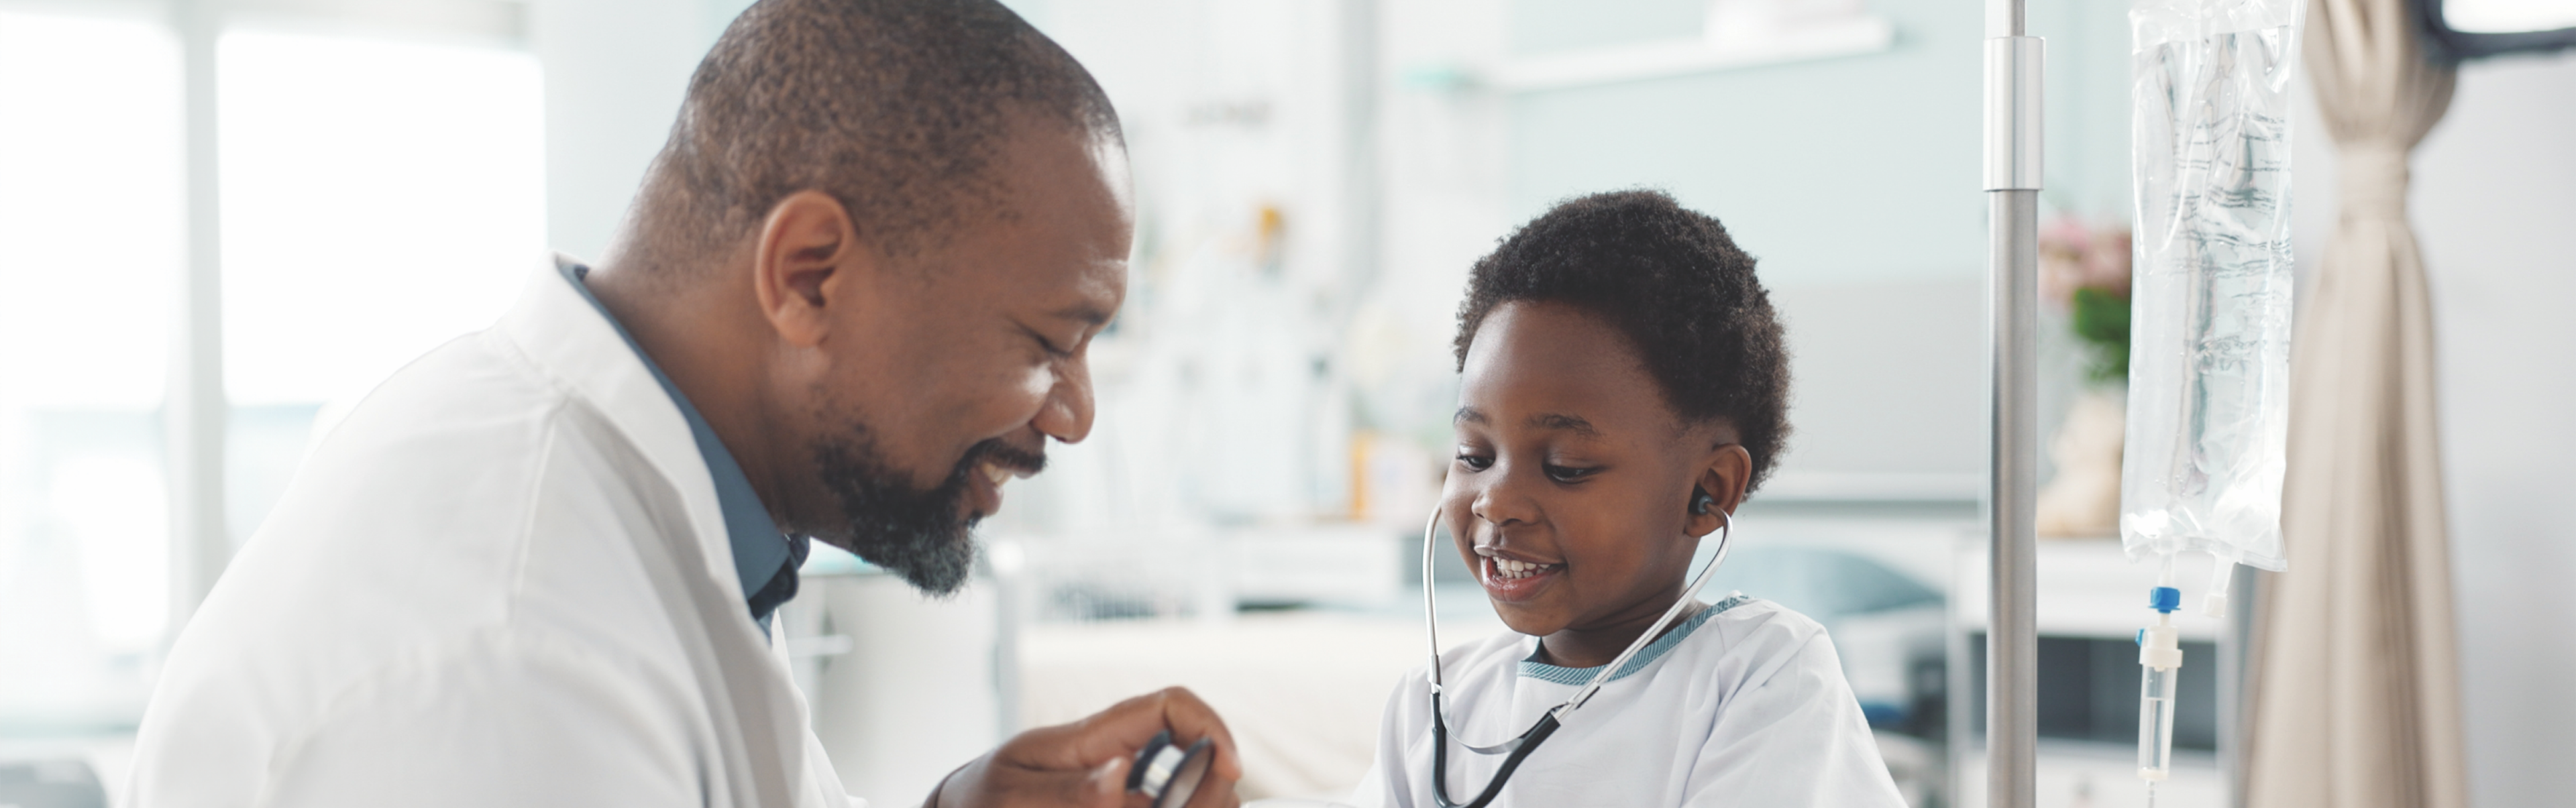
[(91, 251)]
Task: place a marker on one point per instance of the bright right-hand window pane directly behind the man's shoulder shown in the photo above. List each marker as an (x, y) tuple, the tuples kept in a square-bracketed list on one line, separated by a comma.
[(380, 199)]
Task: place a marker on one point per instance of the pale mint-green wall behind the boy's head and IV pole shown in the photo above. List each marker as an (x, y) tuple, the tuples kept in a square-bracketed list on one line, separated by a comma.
[(1853, 181)]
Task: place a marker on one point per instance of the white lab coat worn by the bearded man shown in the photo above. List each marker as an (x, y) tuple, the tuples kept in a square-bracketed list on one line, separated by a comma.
[(504, 580)]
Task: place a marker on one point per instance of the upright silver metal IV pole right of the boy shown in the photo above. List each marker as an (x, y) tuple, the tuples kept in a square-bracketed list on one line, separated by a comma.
[(2013, 202)]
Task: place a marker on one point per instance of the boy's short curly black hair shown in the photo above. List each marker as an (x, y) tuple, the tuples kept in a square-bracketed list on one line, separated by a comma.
[(1676, 284)]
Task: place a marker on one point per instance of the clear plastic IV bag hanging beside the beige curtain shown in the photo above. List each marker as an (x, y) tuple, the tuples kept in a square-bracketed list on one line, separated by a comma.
[(2209, 367)]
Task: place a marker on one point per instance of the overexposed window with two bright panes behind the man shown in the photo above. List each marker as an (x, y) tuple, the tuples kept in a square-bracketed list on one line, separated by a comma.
[(377, 199)]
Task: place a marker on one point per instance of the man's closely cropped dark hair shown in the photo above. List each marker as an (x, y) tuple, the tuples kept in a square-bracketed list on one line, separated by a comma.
[(893, 107)]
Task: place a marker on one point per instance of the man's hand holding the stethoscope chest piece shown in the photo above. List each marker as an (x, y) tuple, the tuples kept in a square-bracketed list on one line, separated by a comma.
[(1086, 763)]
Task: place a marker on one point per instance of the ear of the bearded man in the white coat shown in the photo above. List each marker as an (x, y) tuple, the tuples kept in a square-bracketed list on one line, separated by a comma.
[(805, 264)]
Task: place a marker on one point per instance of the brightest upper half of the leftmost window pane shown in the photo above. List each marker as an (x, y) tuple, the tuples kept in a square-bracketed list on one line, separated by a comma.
[(91, 210)]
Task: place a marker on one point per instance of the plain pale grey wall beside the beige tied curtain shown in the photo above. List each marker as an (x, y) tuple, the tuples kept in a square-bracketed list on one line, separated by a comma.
[(2495, 207)]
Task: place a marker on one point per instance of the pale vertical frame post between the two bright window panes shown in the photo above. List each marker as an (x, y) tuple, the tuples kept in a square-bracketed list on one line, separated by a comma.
[(194, 413)]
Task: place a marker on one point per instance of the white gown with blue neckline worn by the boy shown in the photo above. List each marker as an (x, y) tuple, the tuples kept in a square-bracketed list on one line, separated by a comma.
[(1738, 706)]
